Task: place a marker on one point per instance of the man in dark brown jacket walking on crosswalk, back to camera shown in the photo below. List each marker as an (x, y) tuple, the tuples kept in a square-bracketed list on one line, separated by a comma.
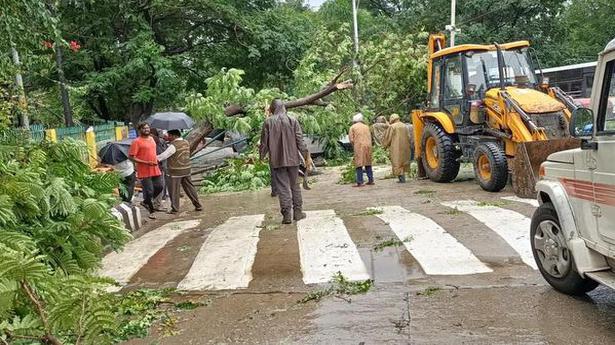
[(282, 140)]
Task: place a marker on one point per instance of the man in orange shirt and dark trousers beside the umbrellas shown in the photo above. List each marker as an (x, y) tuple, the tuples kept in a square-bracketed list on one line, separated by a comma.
[(143, 153)]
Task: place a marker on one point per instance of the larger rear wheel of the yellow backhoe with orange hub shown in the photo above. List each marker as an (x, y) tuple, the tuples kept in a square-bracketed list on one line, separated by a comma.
[(440, 155)]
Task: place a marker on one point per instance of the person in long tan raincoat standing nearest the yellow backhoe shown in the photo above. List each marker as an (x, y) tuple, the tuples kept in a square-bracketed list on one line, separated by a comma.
[(397, 140)]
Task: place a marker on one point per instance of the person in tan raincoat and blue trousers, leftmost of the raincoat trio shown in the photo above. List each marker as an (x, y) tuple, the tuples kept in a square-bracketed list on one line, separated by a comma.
[(361, 139)]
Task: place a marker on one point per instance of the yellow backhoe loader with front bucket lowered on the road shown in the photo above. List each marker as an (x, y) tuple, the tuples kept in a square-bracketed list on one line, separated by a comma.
[(486, 106)]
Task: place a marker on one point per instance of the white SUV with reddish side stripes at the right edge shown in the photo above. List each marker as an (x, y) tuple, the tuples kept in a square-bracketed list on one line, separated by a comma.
[(573, 230)]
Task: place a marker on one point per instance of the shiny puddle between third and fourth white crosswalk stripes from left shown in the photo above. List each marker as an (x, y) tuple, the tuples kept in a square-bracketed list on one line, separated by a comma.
[(391, 265)]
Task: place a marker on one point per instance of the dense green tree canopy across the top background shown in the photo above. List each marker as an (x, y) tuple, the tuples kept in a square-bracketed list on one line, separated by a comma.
[(125, 59)]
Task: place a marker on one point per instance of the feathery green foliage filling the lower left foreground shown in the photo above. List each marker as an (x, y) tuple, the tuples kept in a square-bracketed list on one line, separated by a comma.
[(54, 225)]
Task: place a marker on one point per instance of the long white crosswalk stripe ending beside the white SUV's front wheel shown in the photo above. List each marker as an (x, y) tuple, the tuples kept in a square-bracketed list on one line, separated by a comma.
[(512, 226)]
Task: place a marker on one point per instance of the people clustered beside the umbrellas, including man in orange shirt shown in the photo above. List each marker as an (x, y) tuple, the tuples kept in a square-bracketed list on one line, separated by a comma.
[(162, 166)]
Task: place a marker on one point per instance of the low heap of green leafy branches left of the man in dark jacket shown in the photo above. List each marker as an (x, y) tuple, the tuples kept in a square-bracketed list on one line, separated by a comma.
[(240, 174)]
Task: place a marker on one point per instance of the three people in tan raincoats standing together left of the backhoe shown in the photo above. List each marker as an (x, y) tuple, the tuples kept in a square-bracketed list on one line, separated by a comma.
[(393, 135)]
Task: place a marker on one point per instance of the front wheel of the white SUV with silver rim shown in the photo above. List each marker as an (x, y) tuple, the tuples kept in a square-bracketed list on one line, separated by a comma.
[(554, 259)]
